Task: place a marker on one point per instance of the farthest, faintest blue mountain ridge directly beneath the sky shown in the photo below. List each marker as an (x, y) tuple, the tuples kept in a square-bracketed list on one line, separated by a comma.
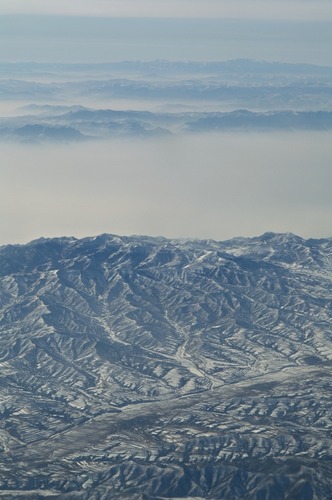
[(246, 71)]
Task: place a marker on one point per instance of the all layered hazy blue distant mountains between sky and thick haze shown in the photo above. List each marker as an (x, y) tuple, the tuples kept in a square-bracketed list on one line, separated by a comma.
[(75, 102)]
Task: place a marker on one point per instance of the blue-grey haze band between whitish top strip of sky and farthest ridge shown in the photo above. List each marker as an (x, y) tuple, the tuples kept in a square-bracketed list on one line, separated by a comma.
[(81, 39)]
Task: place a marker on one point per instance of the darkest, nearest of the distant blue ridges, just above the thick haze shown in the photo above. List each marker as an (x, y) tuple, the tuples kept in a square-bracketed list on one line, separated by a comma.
[(87, 124)]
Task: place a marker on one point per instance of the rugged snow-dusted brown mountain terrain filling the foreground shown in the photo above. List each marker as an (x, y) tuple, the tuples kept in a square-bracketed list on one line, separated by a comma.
[(137, 367)]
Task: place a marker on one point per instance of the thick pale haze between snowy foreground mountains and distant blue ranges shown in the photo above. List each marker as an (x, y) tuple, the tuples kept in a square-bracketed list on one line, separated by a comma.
[(205, 186)]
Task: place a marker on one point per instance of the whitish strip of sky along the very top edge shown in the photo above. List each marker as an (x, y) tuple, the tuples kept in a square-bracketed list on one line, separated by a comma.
[(308, 10)]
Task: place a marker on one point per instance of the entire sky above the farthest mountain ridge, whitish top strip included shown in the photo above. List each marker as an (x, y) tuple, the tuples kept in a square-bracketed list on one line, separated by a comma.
[(92, 30)]
